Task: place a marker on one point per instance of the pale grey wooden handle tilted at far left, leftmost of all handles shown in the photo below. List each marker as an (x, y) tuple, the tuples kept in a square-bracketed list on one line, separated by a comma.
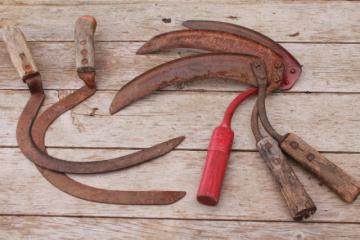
[(19, 52)]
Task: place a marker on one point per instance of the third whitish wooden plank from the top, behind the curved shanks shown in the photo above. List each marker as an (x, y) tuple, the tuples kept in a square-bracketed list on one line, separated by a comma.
[(169, 114)]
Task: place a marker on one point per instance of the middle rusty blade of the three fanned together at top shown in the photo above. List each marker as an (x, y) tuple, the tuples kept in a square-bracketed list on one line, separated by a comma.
[(214, 41)]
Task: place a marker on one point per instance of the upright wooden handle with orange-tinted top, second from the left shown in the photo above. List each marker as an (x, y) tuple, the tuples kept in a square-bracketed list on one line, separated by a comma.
[(84, 44)]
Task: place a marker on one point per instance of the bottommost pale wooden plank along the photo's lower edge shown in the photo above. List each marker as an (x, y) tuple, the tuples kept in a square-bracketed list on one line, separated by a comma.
[(102, 228)]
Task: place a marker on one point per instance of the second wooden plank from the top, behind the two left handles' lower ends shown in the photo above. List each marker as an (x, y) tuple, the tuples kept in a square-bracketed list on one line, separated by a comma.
[(327, 67)]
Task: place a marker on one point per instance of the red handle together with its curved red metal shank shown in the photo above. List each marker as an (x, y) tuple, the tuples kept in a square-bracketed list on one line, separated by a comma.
[(218, 154)]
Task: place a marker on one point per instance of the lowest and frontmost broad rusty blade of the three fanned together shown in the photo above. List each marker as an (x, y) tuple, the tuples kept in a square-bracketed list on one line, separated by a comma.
[(198, 67)]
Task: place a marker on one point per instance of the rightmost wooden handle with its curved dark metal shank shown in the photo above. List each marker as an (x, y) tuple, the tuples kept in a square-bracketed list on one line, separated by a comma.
[(346, 187)]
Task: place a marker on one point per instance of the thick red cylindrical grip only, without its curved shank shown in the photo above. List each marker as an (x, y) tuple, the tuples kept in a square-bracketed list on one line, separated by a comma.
[(215, 166)]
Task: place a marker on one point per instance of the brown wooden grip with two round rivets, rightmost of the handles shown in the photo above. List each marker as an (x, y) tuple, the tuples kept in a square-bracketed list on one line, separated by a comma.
[(333, 176)]
